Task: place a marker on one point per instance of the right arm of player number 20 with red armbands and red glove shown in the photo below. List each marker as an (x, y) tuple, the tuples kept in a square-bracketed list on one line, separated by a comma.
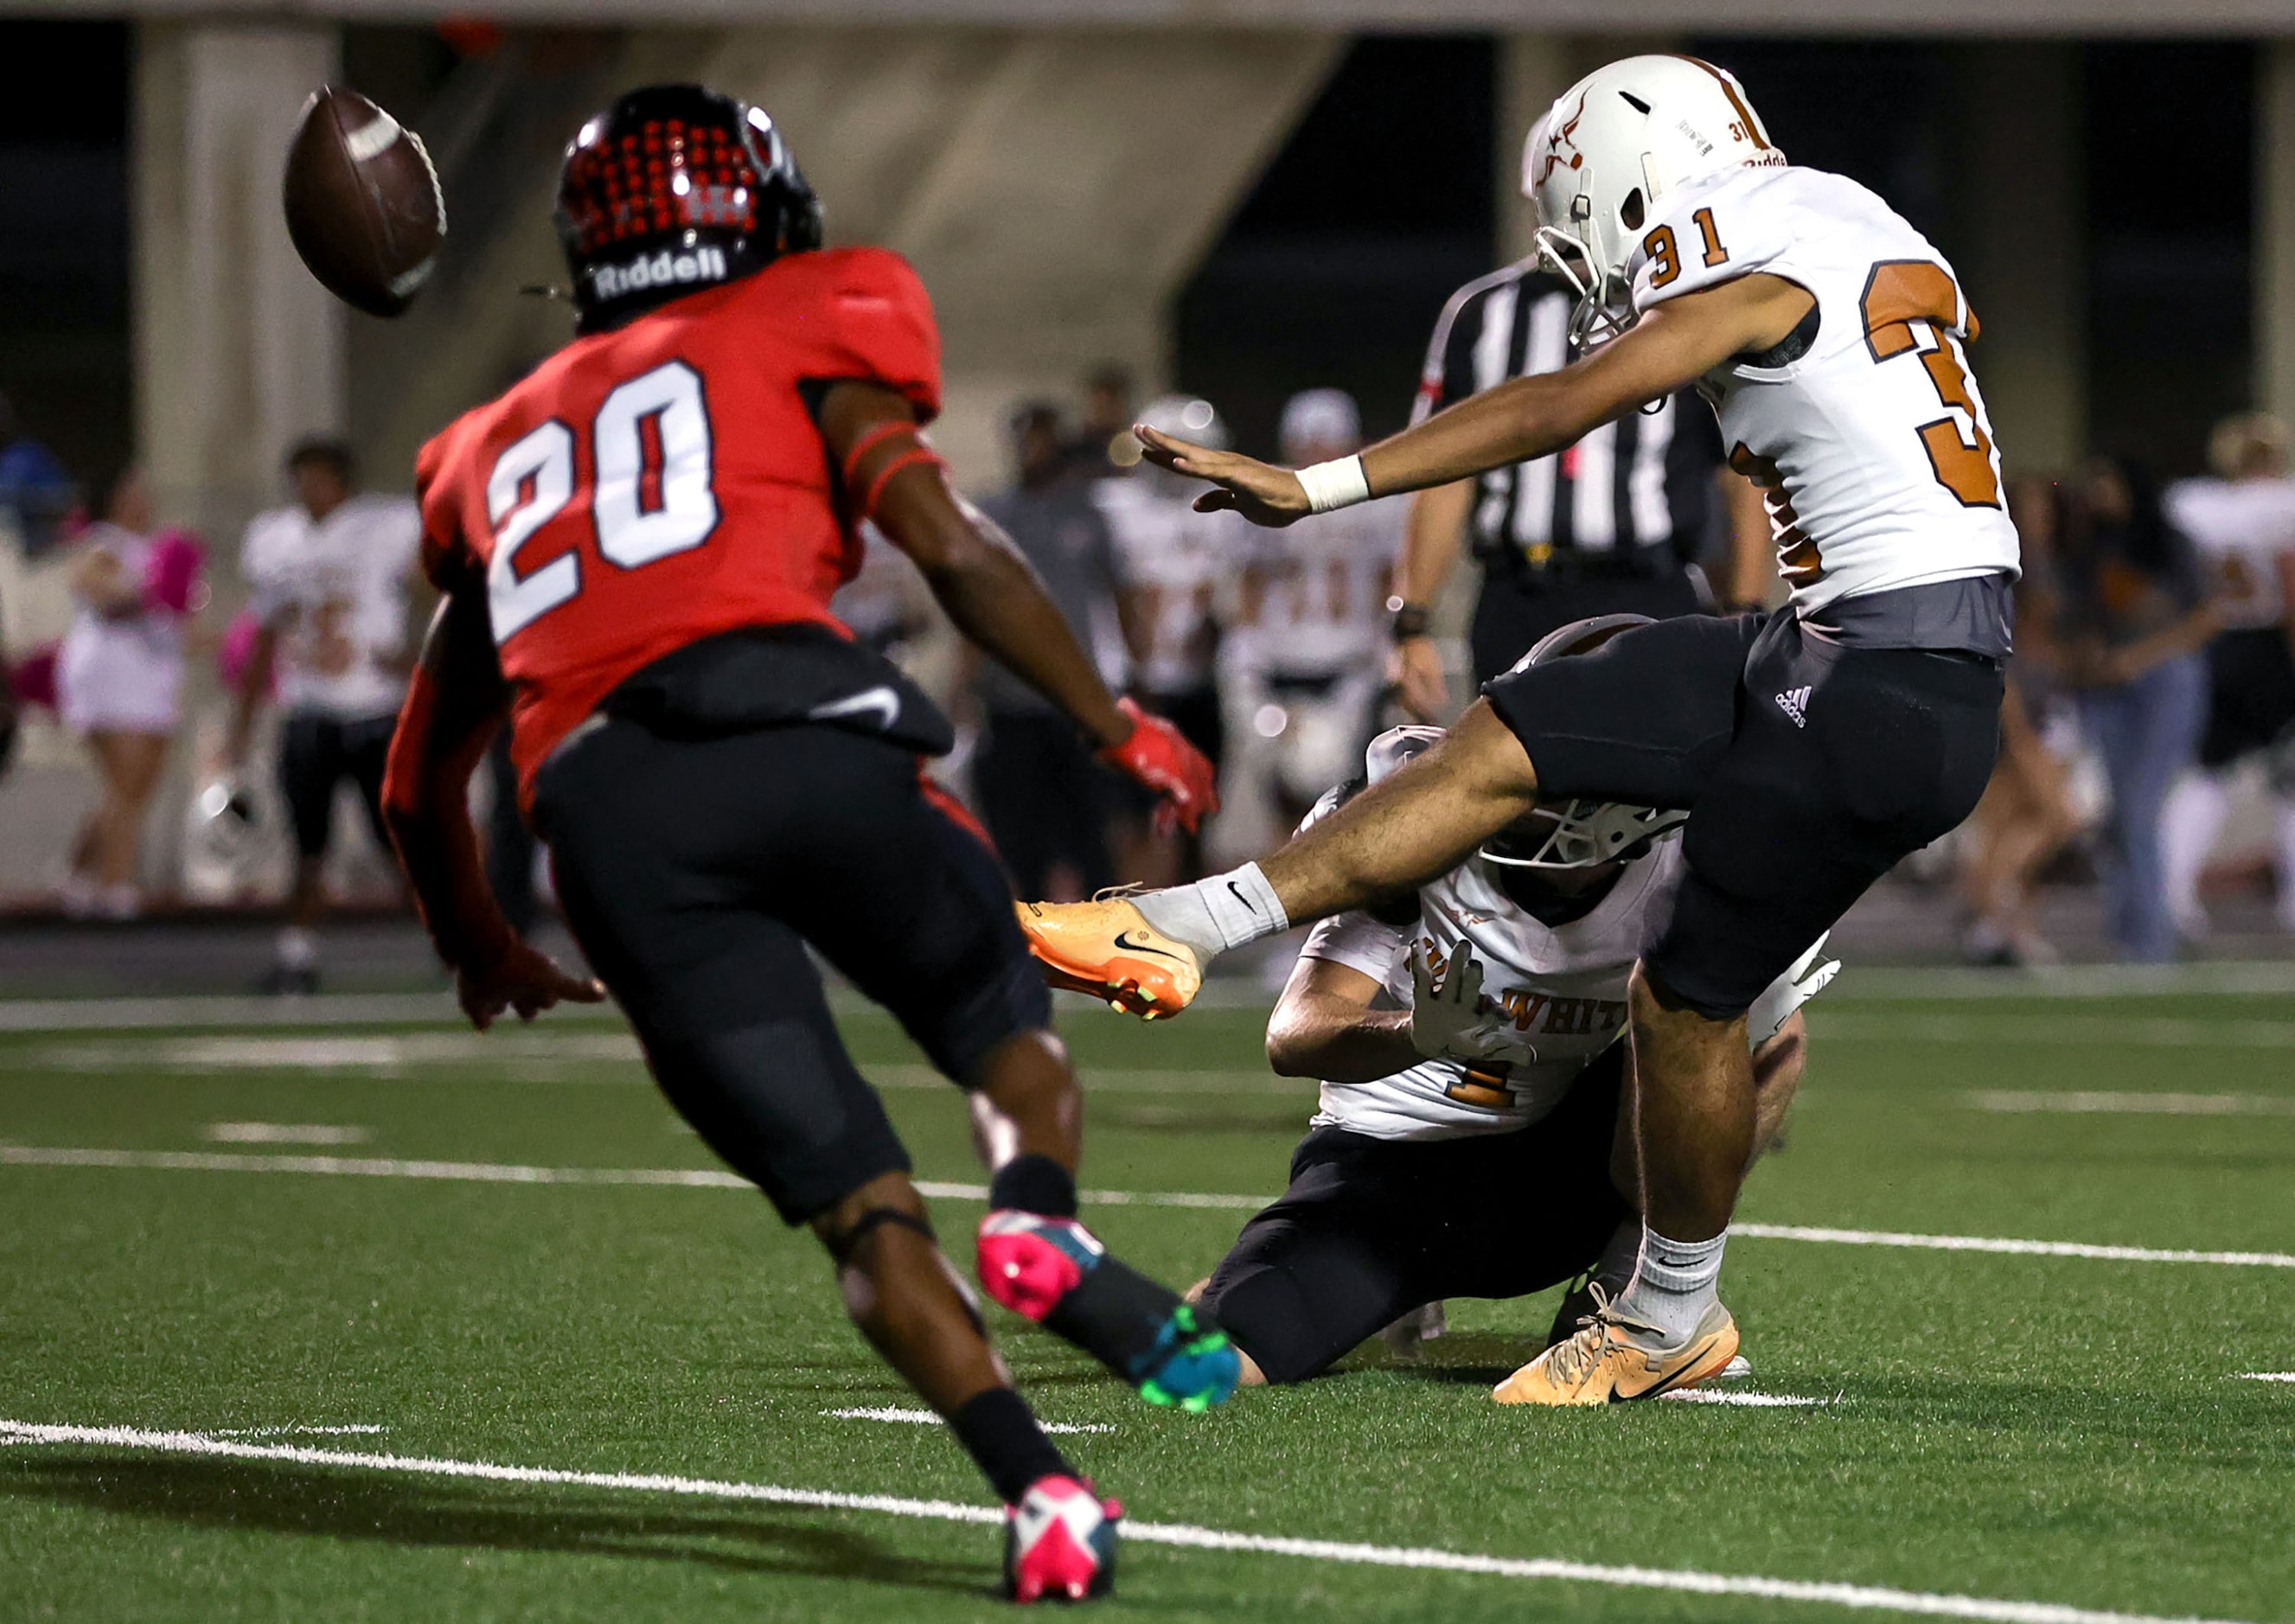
[(990, 593)]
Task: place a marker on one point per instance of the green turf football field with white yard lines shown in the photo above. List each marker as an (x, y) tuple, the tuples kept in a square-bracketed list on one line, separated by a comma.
[(1986, 1426)]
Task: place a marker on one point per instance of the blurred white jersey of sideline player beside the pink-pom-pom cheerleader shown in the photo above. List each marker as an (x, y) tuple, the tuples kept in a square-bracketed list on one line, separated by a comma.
[(336, 595)]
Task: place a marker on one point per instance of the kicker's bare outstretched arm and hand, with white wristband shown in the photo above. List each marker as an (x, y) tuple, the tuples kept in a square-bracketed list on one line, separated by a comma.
[(1667, 350)]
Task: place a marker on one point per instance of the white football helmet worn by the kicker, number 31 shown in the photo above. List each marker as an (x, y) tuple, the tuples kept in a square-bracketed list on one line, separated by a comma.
[(1610, 150)]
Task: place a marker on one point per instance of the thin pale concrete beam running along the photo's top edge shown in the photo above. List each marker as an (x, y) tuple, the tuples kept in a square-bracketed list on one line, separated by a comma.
[(1745, 17)]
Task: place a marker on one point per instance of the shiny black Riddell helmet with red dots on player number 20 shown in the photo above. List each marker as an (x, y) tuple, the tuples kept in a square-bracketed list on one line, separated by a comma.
[(671, 192)]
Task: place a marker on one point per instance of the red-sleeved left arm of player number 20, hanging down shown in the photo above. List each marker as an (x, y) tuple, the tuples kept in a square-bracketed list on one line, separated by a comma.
[(453, 708)]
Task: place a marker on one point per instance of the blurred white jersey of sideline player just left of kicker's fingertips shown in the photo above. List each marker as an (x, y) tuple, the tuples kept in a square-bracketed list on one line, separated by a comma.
[(1178, 565)]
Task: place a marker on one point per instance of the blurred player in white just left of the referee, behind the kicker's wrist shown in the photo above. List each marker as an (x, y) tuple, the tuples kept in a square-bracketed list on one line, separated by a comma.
[(1305, 664)]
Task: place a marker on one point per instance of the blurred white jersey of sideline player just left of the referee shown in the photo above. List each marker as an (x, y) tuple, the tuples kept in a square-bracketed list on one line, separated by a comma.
[(1316, 593)]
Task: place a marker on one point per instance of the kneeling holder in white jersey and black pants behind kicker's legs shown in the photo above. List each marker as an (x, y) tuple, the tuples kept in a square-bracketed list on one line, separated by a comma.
[(1472, 1061)]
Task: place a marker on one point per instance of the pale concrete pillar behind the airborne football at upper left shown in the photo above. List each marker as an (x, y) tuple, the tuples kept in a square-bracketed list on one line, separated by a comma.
[(238, 350)]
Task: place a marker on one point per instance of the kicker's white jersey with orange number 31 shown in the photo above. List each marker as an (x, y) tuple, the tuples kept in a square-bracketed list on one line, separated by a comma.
[(1872, 446)]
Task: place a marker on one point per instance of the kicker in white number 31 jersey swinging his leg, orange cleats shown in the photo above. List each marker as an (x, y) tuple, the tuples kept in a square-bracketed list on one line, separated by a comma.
[(1816, 747)]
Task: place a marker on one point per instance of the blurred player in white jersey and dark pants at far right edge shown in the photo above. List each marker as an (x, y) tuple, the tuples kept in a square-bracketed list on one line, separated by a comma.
[(2243, 524)]
